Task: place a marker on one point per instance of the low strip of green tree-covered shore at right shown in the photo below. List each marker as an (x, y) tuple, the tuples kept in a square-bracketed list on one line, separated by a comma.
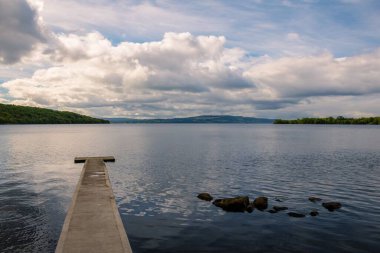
[(330, 120)]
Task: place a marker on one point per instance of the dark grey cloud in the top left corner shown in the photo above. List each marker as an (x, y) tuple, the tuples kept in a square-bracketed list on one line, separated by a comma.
[(20, 30)]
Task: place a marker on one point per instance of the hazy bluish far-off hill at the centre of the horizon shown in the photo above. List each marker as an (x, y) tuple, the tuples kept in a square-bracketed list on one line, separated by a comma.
[(224, 119)]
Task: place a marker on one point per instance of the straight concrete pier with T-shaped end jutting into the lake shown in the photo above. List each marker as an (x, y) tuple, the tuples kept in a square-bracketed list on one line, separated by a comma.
[(93, 222)]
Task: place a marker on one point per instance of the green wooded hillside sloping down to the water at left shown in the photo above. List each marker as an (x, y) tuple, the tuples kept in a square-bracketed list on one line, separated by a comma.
[(15, 114)]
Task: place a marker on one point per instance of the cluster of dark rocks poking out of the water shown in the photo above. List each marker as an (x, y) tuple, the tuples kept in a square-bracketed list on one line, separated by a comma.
[(243, 204)]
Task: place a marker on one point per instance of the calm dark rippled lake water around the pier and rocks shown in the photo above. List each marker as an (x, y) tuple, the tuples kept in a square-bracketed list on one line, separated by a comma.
[(161, 168)]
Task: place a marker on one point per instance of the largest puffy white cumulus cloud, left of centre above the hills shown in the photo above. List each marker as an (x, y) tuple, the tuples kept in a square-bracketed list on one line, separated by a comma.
[(90, 72)]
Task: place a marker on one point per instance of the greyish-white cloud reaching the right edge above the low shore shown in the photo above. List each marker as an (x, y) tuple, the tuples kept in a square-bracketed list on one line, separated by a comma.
[(321, 75)]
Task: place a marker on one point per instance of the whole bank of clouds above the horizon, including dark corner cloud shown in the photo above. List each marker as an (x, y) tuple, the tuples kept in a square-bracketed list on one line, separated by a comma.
[(180, 75)]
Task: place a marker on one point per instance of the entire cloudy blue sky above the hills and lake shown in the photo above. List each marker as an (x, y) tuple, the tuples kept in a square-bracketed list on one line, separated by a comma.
[(163, 58)]
